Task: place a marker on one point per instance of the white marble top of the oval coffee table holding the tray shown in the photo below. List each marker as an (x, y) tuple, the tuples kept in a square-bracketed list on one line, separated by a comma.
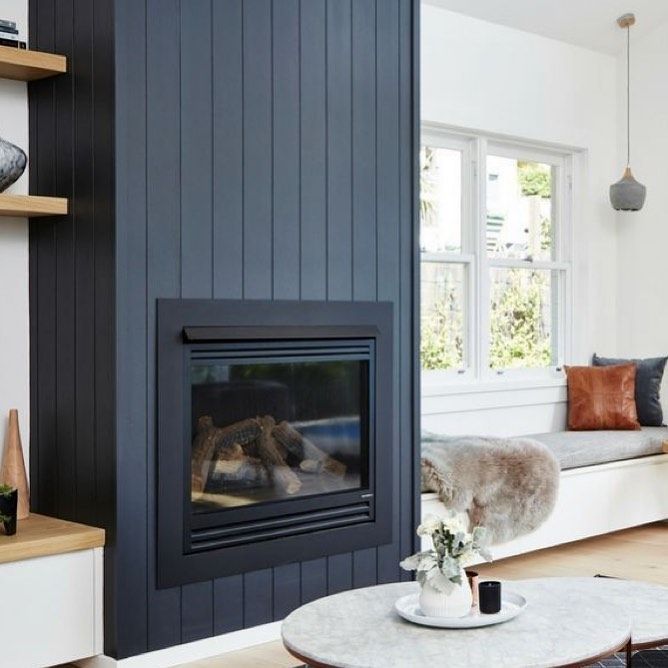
[(360, 629)]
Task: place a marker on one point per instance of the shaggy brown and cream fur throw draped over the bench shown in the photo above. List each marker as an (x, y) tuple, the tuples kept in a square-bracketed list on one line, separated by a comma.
[(508, 485)]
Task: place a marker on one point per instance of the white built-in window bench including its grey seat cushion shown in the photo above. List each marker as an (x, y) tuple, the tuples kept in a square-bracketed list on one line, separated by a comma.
[(610, 480)]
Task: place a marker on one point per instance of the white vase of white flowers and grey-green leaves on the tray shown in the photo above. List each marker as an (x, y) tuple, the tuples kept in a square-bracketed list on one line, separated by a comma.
[(445, 589)]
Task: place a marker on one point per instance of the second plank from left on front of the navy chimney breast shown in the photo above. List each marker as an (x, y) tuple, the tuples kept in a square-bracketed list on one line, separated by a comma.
[(164, 259)]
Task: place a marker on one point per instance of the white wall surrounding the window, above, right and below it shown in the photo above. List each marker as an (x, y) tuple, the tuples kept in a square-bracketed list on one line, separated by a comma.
[(481, 76)]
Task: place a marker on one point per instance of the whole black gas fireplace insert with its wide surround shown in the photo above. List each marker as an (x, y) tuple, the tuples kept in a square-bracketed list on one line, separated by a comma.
[(274, 433)]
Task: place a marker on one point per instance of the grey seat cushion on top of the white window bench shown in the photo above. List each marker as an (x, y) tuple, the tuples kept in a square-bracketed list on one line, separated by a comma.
[(574, 449)]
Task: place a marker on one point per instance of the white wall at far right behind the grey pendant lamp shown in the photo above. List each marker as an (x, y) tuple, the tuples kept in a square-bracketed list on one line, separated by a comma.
[(642, 279)]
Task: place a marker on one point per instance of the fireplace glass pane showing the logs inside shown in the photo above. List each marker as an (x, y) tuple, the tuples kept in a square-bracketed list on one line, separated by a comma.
[(268, 429)]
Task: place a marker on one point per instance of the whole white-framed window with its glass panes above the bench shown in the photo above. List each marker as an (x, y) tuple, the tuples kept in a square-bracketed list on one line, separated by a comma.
[(495, 258)]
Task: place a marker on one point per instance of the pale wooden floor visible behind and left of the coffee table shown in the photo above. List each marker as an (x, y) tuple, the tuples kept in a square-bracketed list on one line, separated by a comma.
[(638, 554)]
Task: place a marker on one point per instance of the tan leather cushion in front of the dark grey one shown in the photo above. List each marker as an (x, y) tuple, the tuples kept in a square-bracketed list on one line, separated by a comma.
[(602, 397)]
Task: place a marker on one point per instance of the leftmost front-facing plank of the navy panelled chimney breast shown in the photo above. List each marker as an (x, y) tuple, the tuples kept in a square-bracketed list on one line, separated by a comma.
[(128, 608)]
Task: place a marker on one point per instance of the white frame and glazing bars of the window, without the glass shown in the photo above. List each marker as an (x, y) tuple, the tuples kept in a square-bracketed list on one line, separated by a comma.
[(475, 148)]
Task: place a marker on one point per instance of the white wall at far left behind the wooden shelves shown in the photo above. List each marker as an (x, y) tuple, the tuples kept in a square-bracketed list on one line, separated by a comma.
[(14, 331)]
